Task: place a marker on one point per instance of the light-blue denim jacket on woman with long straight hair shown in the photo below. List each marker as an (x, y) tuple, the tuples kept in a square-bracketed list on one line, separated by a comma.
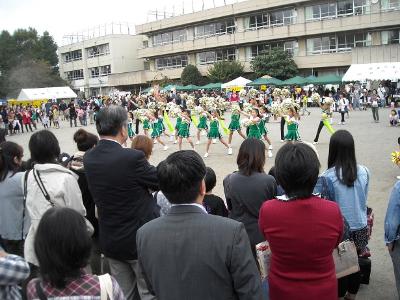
[(352, 200)]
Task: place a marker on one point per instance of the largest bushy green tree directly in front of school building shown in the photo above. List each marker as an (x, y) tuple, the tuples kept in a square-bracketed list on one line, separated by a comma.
[(276, 63)]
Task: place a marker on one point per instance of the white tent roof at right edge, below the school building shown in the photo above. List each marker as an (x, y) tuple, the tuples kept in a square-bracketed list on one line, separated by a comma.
[(373, 71)]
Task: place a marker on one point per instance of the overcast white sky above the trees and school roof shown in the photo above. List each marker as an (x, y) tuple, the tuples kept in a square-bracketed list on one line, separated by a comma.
[(68, 16)]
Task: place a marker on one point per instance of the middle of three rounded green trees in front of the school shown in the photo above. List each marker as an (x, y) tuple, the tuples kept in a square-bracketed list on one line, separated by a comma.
[(224, 71)]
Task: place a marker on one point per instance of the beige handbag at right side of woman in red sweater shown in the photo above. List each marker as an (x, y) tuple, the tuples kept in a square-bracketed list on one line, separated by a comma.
[(346, 259)]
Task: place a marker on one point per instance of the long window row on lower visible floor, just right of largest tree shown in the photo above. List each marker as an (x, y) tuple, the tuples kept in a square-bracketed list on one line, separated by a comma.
[(341, 42)]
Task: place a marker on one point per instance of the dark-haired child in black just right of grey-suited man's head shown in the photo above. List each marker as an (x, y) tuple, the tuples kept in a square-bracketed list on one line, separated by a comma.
[(212, 203)]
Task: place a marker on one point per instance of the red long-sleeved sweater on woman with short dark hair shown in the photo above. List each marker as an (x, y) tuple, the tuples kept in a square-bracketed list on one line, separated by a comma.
[(302, 235)]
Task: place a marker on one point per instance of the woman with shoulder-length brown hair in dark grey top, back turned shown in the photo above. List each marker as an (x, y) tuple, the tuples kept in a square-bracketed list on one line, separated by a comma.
[(248, 188)]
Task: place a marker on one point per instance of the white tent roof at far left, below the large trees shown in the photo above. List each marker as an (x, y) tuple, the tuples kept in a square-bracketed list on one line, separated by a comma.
[(63, 92)]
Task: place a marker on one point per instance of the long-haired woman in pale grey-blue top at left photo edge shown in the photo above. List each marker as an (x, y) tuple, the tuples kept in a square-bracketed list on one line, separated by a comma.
[(14, 220)]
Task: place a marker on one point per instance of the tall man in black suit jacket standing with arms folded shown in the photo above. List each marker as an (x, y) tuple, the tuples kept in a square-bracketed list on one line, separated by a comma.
[(119, 180)]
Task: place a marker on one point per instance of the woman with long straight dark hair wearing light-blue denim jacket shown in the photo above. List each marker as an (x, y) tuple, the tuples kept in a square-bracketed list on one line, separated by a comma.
[(350, 181)]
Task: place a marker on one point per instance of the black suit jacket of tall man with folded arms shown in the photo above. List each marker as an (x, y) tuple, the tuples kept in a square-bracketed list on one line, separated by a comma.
[(119, 180)]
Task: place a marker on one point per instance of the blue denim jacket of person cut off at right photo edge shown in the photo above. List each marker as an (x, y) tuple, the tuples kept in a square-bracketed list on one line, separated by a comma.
[(392, 219)]
